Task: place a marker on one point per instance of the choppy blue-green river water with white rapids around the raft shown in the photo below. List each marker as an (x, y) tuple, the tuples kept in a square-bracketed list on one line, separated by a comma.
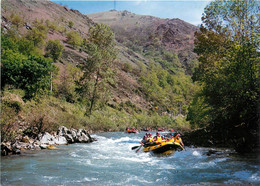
[(110, 161)]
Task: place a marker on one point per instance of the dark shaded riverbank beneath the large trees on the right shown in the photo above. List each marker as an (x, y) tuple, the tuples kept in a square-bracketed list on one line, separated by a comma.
[(240, 138)]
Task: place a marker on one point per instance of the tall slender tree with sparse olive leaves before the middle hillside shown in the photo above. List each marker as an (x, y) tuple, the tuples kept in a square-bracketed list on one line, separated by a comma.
[(98, 66)]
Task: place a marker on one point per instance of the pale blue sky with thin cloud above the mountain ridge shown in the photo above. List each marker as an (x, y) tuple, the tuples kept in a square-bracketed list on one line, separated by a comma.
[(187, 10)]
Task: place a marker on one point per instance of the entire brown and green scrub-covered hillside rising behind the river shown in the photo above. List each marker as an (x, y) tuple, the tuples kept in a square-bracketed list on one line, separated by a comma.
[(151, 84)]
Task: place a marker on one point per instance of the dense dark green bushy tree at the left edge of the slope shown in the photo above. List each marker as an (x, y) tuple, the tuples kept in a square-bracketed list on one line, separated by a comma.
[(31, 74)]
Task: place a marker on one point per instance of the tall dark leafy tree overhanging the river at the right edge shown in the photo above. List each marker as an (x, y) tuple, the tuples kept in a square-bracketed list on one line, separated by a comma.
[(227, 46)]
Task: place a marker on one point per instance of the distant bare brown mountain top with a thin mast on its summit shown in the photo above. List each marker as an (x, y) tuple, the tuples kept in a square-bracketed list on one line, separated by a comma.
[(175, 35)]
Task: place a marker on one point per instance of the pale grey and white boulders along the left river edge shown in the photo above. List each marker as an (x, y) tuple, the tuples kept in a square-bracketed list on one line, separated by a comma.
[(46, 140)]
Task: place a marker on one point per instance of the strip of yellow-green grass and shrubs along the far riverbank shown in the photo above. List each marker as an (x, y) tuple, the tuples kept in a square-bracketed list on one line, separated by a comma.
[(48, 113)]
